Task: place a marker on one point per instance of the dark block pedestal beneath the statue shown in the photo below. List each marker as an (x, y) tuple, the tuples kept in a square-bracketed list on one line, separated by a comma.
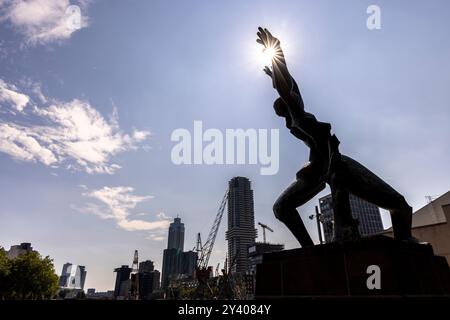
[(375, 266)]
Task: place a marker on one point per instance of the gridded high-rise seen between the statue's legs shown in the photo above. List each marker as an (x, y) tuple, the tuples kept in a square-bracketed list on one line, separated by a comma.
[(367, 214)]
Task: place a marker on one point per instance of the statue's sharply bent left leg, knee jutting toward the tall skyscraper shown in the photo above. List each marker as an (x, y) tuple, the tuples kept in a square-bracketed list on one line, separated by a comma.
[(297, 194)]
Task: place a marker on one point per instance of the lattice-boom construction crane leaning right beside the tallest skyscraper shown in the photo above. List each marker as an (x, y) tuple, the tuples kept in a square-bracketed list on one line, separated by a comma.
[(202, 271)]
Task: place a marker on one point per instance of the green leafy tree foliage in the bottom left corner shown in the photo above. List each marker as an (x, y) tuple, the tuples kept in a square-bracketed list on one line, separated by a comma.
[(28, 276)]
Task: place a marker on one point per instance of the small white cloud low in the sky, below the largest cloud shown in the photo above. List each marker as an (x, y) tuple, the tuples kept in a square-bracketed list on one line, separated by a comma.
[(116, 203)]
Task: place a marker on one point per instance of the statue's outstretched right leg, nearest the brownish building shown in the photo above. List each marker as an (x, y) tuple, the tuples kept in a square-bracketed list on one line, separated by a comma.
[(366, 185)]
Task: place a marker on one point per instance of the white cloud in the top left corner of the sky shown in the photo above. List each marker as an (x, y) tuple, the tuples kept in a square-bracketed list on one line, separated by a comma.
[(43, 21)]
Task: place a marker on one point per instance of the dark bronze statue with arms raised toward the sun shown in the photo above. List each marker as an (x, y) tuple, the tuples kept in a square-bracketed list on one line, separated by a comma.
[(326, 165)]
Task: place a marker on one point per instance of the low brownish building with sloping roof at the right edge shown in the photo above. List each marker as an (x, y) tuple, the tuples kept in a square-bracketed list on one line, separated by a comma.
[(431, 224)]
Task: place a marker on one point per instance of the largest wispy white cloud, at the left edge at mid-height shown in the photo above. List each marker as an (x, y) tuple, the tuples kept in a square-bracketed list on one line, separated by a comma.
[(73, 134)]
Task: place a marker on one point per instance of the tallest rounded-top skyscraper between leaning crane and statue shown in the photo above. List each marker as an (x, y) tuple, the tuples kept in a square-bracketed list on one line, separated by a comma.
[(241, 233)]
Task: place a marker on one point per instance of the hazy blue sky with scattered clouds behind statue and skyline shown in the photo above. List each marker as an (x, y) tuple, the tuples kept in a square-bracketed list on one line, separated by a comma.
[(86, 115)]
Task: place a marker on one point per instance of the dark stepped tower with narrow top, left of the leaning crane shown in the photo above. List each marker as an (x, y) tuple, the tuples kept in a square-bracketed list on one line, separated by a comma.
[(176, 263)]
